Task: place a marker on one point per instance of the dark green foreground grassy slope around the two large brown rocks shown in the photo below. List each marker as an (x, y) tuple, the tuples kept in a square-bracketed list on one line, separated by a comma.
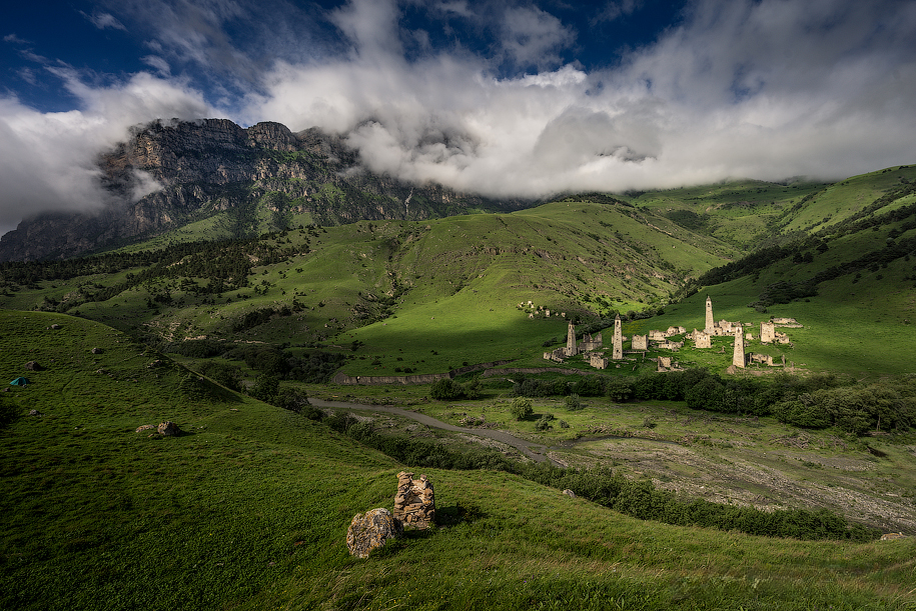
[(249, 511)]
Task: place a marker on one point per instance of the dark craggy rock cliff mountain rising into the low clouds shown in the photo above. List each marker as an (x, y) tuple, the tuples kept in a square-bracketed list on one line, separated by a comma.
[(169, 174)]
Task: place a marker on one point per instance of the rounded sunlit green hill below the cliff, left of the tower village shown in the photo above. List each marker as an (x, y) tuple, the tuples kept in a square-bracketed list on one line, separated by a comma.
[(456, 282)]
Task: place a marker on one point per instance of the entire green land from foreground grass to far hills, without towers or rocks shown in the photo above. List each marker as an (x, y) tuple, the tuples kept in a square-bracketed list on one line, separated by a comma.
[(827, 446)]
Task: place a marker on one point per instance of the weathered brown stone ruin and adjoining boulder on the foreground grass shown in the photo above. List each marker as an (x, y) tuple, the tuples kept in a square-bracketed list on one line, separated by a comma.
[(414, 506)]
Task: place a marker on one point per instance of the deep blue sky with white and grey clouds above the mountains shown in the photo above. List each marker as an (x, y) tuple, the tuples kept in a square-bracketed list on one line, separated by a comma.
[(507, 98)]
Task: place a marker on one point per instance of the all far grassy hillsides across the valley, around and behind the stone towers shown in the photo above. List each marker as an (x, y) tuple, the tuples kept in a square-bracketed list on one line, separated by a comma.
[(455, 283)]
